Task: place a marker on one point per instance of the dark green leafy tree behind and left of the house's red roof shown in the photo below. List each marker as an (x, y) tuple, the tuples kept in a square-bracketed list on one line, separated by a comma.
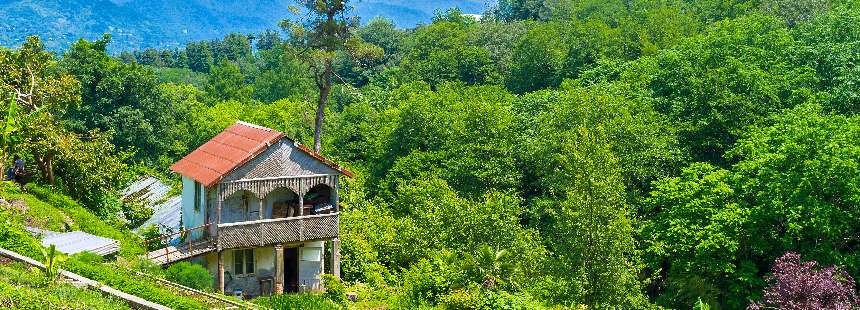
[(122, 101)]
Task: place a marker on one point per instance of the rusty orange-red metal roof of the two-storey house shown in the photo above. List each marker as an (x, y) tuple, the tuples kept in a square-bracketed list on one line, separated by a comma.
[(231, 149)]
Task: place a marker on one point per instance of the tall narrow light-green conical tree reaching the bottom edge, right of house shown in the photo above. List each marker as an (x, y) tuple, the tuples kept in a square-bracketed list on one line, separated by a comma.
[(587, 223)]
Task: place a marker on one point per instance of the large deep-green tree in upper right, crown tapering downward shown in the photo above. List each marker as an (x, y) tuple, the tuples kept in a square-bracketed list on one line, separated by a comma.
[(732, 76)]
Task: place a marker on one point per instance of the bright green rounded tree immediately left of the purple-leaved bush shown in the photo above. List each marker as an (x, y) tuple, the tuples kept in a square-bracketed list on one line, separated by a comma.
[(695, 234)]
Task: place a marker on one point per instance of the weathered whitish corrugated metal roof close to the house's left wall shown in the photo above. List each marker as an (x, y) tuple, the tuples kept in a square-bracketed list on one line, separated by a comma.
[(152, 193)]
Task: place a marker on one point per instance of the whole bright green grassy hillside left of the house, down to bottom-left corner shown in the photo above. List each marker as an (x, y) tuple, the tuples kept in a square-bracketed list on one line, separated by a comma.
[(42, 208)]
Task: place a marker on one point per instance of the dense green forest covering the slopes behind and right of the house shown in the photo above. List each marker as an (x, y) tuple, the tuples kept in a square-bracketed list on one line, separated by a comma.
[(581, 154)]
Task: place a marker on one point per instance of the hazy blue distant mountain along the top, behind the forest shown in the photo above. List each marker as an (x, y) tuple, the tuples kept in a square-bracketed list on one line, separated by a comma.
[(137, 24)]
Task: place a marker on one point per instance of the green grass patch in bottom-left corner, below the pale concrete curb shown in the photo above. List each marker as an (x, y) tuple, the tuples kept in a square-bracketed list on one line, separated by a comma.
[(25, 288)]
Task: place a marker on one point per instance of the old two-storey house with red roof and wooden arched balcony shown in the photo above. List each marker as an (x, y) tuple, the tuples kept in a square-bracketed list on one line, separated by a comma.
[(260, 211)]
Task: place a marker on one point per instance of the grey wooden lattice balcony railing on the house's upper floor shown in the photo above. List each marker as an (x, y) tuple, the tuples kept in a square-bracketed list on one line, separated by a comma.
[(273, 231)]
